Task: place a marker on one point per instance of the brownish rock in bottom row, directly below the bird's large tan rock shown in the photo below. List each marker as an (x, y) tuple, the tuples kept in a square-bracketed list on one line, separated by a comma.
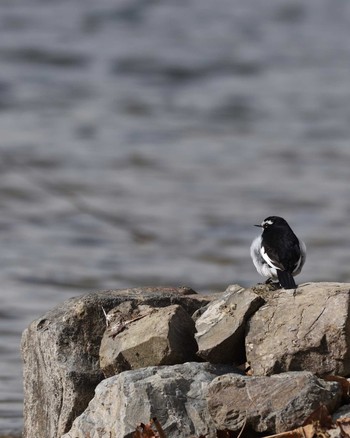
[(268, 404)]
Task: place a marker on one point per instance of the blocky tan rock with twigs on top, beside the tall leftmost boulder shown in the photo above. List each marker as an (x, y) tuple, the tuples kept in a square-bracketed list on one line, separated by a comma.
[(165, 336)]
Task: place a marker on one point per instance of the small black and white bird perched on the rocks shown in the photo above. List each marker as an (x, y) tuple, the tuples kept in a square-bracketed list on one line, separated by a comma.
[(277, 253)]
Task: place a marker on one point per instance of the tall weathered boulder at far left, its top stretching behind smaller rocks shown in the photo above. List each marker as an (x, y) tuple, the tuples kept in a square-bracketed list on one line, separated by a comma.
[(61, 354)]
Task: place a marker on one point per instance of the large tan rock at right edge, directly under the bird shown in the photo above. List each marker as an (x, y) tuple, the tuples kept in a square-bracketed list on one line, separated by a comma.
[(305, 330)]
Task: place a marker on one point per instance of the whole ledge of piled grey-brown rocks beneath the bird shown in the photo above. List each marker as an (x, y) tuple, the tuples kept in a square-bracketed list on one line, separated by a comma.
[(101, 364)]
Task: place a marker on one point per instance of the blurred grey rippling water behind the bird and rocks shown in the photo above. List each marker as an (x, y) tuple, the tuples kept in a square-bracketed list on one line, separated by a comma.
[(140, 140)]
